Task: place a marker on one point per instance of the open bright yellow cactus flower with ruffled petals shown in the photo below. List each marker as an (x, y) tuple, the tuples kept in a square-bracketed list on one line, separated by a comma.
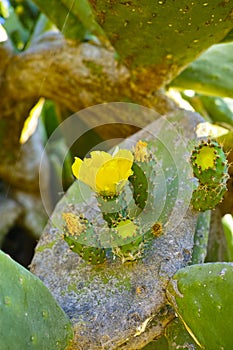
[(104, 173)]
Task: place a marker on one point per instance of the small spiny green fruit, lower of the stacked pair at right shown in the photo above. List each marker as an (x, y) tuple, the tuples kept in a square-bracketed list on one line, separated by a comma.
[(206, 198)]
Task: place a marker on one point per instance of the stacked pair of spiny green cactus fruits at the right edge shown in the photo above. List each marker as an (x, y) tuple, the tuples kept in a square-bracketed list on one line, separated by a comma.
[(211, 168)]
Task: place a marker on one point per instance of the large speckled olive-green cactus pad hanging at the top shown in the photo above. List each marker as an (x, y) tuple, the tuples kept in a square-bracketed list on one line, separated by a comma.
[(187, 28)]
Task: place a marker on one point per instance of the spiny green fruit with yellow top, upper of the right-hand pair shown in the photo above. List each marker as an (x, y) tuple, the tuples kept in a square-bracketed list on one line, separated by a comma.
[(209, 163)]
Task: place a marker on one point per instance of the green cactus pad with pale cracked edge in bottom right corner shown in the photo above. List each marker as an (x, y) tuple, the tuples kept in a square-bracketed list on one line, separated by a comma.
[(202, 298)]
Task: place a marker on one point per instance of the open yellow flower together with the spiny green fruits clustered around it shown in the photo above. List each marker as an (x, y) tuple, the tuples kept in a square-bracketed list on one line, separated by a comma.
[(123, 233)]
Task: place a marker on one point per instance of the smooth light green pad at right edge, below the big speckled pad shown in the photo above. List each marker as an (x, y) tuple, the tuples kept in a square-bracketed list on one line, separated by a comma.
[(211, 73)]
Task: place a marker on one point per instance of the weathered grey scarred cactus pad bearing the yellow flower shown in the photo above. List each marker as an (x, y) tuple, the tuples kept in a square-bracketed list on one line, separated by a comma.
[(122, 305)]
